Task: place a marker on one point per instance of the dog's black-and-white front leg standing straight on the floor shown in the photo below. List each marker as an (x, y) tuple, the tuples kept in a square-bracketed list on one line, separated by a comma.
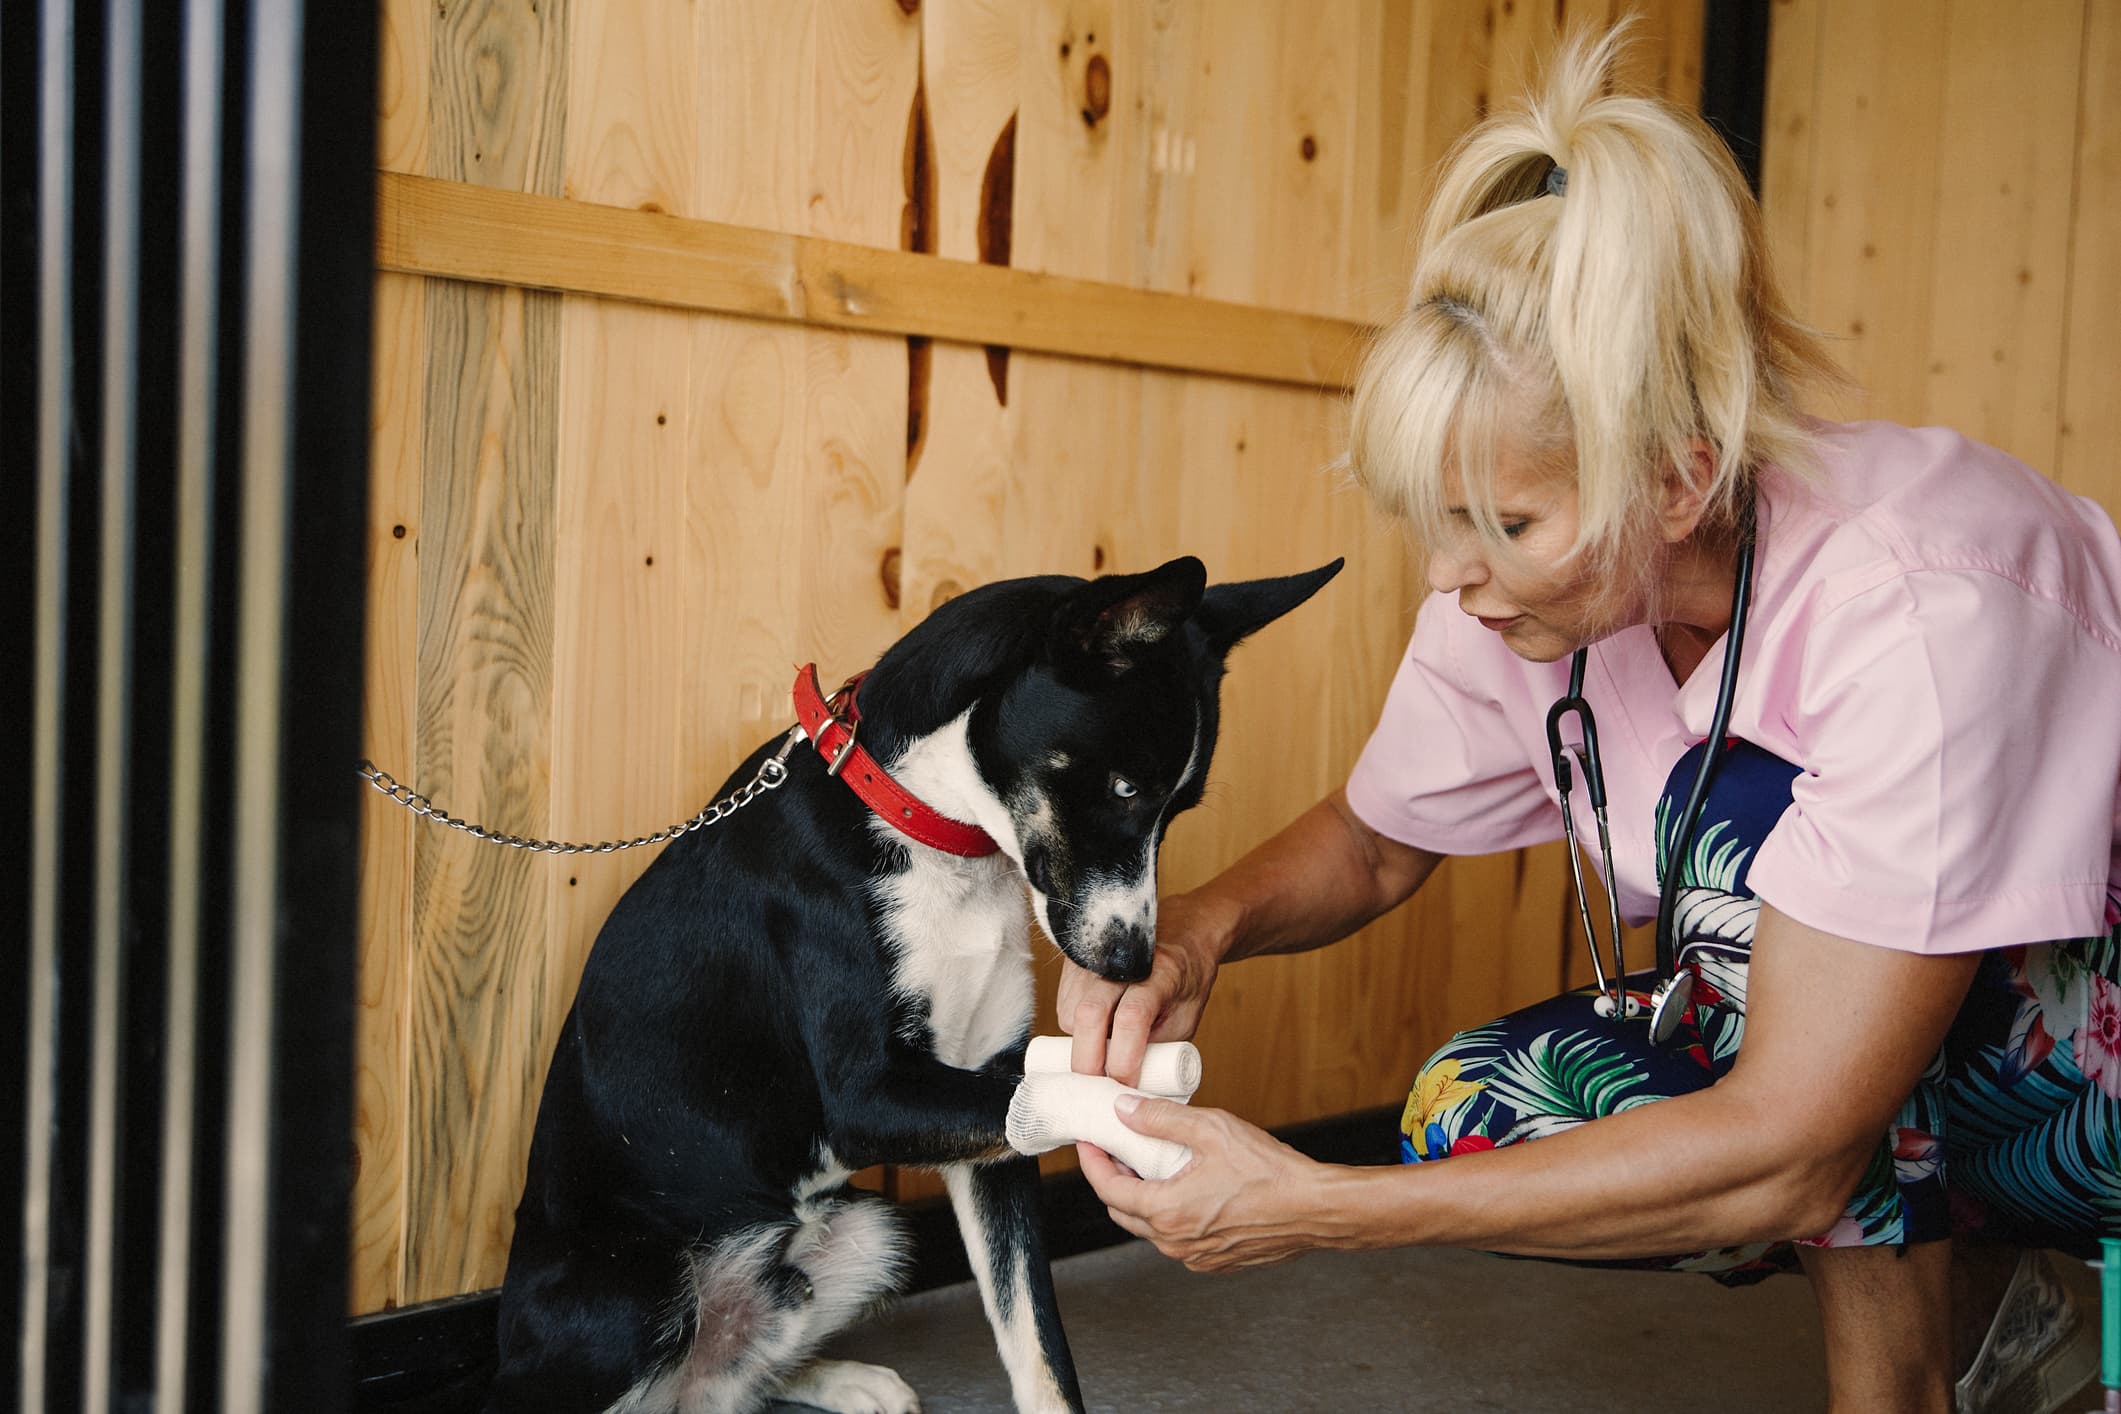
[(1000, 1222)]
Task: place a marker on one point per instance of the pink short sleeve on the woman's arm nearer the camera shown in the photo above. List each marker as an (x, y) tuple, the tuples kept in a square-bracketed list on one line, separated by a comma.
[(1959, 745)]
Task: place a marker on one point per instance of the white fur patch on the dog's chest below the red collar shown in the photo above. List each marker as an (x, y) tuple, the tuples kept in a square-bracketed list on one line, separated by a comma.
[(962, 940)]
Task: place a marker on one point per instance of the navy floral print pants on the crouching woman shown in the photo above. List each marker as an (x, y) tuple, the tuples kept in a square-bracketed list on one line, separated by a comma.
[(2014, 1129)]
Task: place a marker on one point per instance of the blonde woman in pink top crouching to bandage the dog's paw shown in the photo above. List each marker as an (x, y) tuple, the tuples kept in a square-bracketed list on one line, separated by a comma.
[(1585, 417)]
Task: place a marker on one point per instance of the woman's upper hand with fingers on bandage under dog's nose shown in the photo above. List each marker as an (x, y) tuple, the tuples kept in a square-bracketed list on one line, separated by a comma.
[(1115, 1023)]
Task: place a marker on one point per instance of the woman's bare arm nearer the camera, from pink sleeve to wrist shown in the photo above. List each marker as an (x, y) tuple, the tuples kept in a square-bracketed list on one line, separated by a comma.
[(1838, 1036)]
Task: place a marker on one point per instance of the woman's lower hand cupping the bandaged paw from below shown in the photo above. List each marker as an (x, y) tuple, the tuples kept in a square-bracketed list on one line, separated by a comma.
[(1244, 1201)]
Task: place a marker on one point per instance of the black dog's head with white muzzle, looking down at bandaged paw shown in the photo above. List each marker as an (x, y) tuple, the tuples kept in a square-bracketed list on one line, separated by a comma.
[(1110, 735)]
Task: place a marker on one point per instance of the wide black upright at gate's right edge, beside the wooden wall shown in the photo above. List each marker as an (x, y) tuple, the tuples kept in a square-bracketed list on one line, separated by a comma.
[(321, 874)]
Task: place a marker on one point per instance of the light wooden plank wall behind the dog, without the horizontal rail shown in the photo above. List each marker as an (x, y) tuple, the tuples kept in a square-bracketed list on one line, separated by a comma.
[(601, 531)]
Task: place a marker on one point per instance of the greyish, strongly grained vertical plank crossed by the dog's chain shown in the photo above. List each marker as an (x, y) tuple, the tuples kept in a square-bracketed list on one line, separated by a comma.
[(485, 665)]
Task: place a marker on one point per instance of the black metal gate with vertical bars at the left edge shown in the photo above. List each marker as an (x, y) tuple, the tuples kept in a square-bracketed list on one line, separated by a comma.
[(183, 442)]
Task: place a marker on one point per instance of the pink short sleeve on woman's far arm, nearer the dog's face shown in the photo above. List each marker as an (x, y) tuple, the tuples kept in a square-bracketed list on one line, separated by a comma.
[(1443, 768)]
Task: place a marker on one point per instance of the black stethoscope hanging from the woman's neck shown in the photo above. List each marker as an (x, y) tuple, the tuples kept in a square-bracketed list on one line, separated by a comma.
[(1675, 989)]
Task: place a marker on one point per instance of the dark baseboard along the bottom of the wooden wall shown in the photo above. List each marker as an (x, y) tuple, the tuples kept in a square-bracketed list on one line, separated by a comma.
[(440, 1356)]
